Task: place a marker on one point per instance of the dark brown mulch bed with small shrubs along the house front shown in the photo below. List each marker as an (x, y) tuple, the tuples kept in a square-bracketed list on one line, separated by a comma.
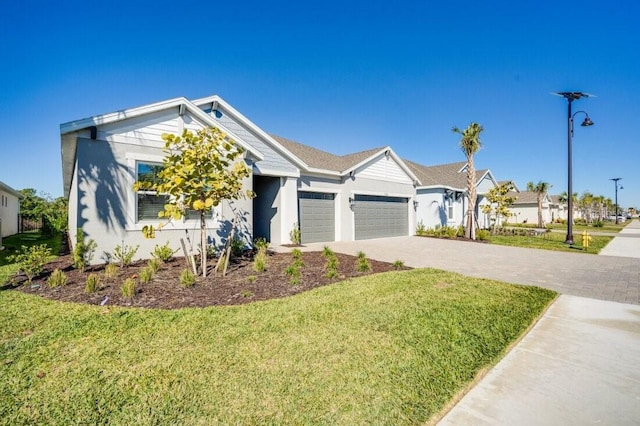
[(241, 284)]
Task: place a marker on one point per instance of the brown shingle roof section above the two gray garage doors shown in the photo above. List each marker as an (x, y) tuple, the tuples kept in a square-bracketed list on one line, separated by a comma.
[(319, 159)]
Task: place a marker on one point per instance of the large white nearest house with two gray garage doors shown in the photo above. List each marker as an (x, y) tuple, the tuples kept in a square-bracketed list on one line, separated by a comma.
[(363, 195)]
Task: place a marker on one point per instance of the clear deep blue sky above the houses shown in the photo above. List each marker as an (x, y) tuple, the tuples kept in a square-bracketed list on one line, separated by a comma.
[(339, 76)]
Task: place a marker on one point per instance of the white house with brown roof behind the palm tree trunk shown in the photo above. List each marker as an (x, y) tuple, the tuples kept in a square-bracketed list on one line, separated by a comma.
[(442, 196)]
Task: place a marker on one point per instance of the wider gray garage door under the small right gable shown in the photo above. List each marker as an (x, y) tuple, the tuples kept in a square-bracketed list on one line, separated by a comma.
[(377, 217)]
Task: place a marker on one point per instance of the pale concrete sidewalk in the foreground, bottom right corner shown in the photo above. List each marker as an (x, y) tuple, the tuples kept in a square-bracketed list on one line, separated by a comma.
[(577, 366)]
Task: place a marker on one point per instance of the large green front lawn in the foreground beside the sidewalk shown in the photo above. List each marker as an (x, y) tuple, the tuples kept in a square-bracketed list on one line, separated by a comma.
[(392, 348)]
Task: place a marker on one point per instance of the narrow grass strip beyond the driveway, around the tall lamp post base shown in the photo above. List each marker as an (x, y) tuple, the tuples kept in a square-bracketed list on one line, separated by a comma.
[(552, 241)]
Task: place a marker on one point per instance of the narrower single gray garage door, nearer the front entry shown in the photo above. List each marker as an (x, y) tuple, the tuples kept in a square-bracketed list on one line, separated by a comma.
[(317, 217)]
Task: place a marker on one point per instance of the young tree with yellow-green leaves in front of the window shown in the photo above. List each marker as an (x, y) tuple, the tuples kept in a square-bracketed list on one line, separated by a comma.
[(199, 171)]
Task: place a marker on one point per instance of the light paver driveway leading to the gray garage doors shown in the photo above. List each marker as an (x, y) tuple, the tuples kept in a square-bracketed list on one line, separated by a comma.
[(579, 274)]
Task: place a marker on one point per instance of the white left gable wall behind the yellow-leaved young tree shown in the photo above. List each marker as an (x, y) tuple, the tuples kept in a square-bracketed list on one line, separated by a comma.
[(103, 203)]
